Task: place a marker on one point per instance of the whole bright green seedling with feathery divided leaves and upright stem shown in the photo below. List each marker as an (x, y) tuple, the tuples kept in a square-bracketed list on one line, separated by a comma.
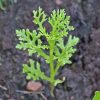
[(58, 52)]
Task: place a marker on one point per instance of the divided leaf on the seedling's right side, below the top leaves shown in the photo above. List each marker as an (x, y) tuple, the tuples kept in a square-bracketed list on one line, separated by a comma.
[(64, 52)]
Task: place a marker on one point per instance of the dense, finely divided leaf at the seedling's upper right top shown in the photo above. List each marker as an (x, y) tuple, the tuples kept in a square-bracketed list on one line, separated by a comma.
[(60, 24)]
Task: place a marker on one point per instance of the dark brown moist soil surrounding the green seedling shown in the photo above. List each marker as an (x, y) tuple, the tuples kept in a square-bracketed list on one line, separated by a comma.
[(82, 76)]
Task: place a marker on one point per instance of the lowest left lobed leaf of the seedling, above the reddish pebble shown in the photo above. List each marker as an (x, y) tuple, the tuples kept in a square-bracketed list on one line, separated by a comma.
[(33, 71)]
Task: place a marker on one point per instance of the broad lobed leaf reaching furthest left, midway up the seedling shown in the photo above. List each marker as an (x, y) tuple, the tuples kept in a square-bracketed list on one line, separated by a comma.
[(31, 41)]
